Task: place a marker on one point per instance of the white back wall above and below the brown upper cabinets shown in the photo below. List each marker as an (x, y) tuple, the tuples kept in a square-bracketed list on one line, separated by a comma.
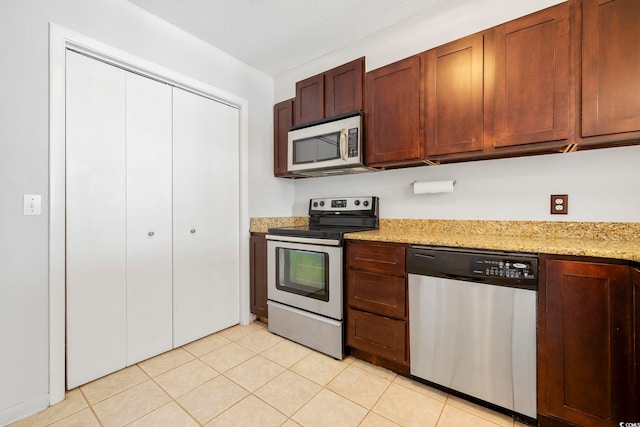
[(602, 184)]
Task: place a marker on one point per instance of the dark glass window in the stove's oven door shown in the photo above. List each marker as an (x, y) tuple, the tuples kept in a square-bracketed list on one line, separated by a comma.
[(304, 273)]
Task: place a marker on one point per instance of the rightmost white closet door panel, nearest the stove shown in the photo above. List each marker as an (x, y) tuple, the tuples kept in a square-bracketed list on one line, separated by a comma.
[(205, 216)]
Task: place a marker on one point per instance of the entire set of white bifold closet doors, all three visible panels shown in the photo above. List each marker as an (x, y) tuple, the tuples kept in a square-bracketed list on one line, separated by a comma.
[(152, 209)]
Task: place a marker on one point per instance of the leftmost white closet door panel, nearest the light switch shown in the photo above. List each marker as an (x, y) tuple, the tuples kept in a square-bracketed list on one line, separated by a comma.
[(96, 222)]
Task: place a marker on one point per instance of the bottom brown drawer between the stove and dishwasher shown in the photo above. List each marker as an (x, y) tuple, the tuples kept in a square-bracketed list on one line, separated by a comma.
[(377, 335)]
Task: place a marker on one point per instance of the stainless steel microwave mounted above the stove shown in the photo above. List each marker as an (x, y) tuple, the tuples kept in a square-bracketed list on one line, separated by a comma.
[(329, 147)]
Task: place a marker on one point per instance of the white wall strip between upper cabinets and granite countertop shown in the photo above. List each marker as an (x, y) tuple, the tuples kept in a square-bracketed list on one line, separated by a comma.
[(602, 186)]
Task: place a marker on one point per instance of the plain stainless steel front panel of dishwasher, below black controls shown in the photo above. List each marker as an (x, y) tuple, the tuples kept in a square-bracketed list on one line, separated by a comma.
[(475, 338)]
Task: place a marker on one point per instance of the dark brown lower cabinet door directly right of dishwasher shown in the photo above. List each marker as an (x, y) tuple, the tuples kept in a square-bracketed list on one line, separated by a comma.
[(587, 356)]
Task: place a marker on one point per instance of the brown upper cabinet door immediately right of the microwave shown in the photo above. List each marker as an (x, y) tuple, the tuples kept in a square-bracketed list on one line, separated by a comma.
[(393, 118)]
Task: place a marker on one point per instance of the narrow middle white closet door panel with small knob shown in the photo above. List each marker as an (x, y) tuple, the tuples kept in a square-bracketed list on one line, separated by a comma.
[(149, 218)]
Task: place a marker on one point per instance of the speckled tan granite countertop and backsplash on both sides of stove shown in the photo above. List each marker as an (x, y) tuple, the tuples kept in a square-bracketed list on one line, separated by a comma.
[(597, 239)]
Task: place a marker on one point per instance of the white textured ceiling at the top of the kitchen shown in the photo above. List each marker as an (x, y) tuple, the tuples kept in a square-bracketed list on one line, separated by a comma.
[(277, 35)]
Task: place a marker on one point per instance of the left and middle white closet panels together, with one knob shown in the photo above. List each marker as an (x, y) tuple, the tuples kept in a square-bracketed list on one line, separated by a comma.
[(119, 219)]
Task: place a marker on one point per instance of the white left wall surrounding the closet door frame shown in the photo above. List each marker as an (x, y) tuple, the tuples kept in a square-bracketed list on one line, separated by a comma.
[(24, 115)]
